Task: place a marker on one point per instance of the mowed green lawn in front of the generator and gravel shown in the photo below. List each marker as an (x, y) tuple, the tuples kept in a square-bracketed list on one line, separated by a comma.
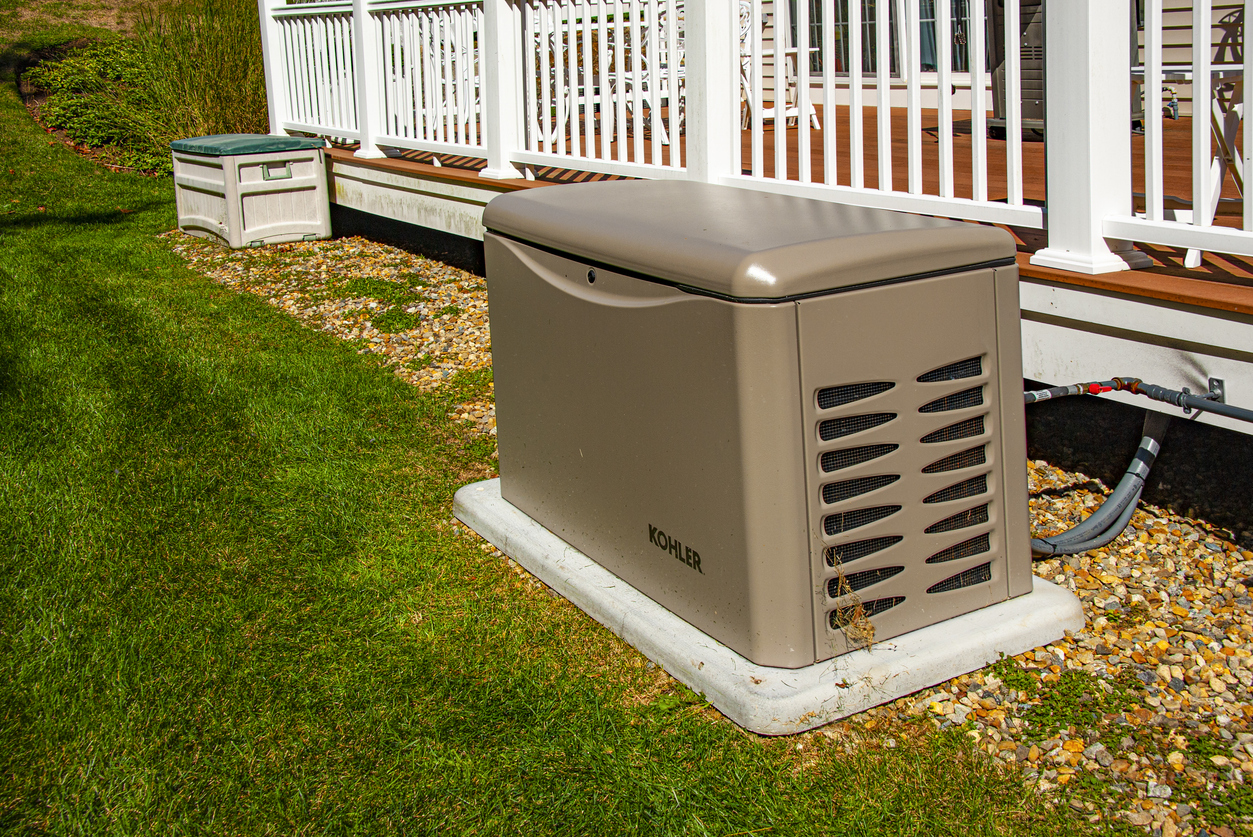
[(231, 601)]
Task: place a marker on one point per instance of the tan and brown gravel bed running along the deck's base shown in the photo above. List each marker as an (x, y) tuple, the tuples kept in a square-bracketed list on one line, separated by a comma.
[(1141, 719)]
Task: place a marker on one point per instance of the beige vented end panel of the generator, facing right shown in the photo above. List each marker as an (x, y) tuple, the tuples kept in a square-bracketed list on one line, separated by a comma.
[(904, 457)]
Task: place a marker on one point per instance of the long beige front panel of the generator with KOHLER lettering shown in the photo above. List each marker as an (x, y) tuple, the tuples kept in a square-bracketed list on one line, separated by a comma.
[(632, 415)]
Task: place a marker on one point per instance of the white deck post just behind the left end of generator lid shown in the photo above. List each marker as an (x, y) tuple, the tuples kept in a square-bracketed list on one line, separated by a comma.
[(501, 66)]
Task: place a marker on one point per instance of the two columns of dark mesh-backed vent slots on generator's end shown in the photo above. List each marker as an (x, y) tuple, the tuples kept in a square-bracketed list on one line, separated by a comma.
[(888, 587)]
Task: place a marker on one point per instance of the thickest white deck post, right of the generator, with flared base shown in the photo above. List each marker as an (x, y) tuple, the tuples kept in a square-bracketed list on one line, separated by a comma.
[(1088, 136)]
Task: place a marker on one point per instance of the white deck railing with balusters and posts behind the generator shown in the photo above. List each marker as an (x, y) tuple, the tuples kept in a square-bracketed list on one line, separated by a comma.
[(662, 90)]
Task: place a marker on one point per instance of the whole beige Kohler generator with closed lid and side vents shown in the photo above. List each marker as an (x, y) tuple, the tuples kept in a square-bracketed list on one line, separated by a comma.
[(796, 425)]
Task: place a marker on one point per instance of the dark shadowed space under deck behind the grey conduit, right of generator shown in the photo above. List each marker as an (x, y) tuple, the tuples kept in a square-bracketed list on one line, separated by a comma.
[(1202, 472)]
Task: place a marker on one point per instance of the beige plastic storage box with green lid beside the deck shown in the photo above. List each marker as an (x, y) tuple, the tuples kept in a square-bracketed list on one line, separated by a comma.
[(251, 190)]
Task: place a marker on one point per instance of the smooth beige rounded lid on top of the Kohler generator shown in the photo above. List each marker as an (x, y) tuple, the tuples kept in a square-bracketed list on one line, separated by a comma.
[(740, 244)]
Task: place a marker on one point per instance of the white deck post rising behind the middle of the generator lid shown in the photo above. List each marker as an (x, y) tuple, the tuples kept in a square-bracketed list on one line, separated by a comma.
[(712, 44)]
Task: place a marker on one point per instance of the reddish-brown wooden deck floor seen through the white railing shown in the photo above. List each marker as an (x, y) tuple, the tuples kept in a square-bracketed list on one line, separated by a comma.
[(1222, 283)]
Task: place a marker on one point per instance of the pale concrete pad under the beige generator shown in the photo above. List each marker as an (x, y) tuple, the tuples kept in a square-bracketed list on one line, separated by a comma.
[(770, 701)]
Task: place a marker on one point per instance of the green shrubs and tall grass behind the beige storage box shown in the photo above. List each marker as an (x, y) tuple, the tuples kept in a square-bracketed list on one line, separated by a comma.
[(195, 70)]
